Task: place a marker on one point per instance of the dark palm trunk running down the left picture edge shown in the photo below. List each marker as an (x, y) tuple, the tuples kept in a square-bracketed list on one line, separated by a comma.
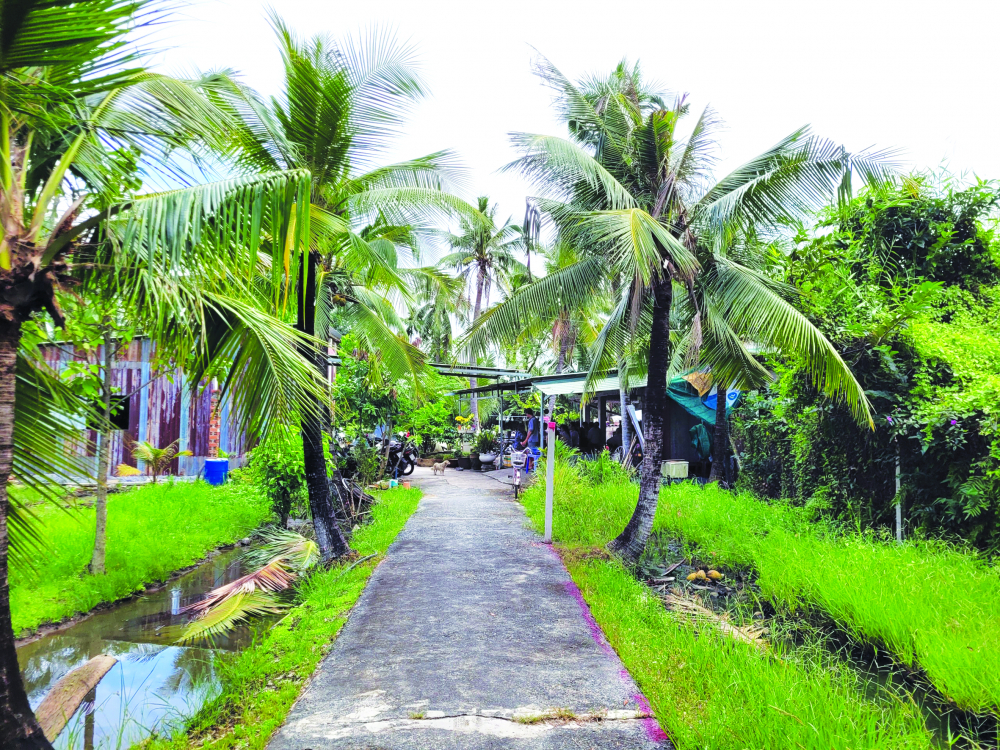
[(18, 726)]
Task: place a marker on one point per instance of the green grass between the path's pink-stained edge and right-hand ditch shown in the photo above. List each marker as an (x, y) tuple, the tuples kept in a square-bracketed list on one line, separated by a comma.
[(707, 691)]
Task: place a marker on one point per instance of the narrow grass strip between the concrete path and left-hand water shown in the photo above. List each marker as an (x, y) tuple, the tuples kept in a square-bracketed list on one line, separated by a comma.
[(260, 684)]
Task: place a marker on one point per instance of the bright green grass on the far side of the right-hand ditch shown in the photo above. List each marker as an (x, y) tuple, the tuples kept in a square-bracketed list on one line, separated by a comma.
[(931, 605)]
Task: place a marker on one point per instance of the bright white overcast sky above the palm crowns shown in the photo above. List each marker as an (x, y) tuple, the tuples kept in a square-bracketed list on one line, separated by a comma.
[(918, 75)]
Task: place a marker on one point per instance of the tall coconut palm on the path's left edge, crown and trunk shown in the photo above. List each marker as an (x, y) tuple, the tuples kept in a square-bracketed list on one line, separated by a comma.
[(342, 102)]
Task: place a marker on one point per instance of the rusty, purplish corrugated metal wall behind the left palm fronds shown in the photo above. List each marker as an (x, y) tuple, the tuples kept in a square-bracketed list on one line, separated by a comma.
[(162, 408)]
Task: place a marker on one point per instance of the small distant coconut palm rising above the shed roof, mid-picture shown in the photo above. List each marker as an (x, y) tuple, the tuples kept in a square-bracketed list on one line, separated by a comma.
[(483, 255)]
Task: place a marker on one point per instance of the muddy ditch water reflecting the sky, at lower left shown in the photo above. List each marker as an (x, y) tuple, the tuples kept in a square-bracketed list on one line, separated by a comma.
[(155, 685)]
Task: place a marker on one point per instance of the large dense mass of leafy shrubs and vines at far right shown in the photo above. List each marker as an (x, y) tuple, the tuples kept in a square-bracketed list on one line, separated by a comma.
[(900, 281)]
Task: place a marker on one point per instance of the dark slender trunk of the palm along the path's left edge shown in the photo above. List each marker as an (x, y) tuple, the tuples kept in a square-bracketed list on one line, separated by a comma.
[(329, 538)]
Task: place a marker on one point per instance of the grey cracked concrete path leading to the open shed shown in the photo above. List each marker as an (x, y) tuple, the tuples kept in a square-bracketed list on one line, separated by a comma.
[(469, 624)]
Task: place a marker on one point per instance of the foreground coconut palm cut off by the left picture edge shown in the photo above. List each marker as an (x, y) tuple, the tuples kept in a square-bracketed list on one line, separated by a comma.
[(77, 109)]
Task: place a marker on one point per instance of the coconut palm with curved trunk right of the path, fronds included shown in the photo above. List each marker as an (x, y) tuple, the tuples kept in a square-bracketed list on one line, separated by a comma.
[(638, 195)]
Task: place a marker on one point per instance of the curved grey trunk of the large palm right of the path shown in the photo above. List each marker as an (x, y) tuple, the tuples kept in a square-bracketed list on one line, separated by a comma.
[(632, 541)]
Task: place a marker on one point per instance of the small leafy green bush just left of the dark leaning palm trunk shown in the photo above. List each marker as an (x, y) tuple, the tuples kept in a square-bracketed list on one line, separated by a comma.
[(278, 469)]
